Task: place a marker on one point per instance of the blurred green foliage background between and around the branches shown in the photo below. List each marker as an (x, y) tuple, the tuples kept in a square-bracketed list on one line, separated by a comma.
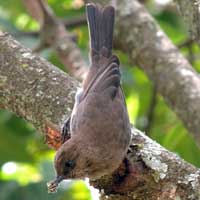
[(26, 163)]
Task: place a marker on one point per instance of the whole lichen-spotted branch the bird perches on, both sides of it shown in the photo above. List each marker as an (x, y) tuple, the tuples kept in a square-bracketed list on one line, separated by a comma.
[(42, 94)]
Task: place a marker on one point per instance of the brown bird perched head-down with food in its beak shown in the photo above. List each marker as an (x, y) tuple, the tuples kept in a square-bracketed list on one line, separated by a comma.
[(99, 124)]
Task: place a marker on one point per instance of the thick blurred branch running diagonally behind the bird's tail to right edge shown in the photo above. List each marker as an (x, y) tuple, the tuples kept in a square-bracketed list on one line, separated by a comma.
[(138, 35)]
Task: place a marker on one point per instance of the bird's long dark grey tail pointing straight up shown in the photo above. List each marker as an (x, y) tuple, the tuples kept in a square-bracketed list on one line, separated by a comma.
[(100, 23)]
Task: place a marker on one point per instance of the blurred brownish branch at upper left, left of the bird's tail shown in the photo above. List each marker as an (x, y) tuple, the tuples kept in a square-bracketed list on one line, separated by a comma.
[(54, 34)]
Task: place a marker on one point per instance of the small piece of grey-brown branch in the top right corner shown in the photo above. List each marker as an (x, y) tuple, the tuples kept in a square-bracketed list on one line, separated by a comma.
[(190, 10)]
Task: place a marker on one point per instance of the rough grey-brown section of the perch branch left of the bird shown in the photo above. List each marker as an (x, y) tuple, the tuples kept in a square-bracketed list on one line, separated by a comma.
[(32, 88)]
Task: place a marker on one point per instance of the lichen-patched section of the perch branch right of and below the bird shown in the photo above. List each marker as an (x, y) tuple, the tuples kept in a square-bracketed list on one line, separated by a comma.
[(155, 173)]
